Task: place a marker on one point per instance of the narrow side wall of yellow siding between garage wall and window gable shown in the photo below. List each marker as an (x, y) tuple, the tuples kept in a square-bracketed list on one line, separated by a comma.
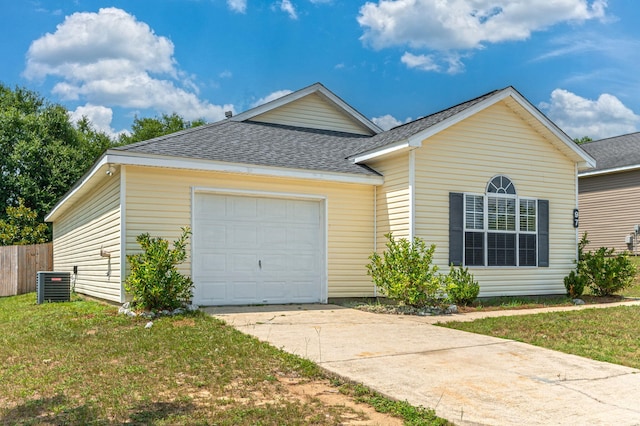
[(392, 198)]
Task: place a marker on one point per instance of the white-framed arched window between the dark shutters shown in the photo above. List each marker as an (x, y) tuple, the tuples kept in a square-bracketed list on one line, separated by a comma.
[(500, 228)]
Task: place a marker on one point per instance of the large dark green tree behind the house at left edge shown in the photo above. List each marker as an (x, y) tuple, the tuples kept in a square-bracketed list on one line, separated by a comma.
[(42, 154)]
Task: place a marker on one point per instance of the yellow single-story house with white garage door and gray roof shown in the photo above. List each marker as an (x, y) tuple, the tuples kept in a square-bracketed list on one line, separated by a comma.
[(287, 201)]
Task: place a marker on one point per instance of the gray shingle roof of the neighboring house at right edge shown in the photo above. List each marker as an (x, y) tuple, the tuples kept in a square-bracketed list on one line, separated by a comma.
[(616, 152)]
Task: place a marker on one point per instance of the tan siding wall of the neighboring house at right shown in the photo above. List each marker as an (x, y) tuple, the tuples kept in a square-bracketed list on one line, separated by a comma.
[(609, 208)]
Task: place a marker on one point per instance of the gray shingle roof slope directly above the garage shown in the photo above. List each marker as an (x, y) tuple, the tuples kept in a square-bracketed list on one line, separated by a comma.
[(260, 144)]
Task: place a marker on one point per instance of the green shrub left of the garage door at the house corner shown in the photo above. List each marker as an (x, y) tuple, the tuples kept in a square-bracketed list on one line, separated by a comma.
[(155, 282)]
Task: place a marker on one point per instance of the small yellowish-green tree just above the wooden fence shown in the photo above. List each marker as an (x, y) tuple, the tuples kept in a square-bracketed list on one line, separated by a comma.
[(22, 227)]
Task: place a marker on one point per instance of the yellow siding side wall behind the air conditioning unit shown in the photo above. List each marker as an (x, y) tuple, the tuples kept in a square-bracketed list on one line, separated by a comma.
[(90, 225)]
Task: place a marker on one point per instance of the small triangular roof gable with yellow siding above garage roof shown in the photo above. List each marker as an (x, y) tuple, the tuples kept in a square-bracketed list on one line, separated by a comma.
[(314, 107)]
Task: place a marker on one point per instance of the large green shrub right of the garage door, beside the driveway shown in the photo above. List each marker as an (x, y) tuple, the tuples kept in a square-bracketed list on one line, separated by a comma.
[(405, 274)]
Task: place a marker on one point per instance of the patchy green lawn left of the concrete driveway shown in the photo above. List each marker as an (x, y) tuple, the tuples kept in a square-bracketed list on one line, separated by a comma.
[(82, 363)]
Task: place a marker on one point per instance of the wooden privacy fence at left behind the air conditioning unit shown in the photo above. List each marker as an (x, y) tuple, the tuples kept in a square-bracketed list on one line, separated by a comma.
[(19, 264)]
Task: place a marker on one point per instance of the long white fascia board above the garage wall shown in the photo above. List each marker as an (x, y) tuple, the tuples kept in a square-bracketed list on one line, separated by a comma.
[(133, 159)]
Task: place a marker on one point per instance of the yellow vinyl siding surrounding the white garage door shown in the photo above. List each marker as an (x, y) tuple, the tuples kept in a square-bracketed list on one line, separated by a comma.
[(159, 202)]
